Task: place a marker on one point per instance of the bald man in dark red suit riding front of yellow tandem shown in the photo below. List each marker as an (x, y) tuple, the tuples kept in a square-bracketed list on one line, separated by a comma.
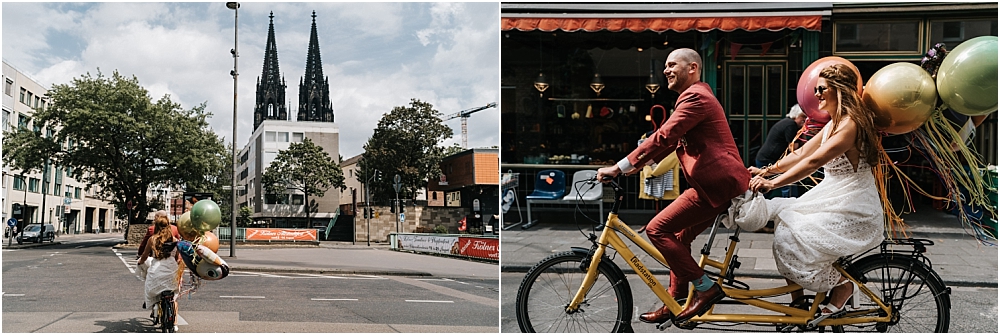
[(698, 131)]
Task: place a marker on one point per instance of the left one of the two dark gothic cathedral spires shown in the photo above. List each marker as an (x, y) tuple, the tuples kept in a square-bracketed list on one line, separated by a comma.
[(271, 92)]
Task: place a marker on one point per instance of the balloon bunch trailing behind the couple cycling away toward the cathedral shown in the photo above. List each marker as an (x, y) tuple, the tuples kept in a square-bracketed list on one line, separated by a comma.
[(198, 250)]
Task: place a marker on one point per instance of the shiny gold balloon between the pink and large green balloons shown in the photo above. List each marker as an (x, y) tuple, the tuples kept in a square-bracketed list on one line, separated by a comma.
[(902, 95)]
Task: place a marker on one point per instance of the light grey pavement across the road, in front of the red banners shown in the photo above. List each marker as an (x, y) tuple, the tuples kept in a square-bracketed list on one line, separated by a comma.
[(326, 257)]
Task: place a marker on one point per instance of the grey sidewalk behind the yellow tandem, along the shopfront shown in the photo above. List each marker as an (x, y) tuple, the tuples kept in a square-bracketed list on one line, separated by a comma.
[(956, 256)]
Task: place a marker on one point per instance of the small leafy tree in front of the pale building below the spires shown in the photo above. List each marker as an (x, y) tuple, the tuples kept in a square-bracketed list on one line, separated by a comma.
[(306, 168)]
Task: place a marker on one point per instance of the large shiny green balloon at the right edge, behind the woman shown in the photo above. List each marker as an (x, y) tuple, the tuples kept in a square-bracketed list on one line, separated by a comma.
[(967, 78)]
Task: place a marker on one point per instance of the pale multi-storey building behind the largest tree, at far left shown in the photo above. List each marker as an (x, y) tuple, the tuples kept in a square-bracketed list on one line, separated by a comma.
[(51, 196)]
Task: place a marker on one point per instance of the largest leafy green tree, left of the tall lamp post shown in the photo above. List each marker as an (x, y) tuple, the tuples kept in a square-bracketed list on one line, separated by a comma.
[(119, 141)]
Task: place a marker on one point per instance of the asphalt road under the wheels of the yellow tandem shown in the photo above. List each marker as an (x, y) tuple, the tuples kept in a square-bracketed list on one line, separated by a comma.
[(974, 309)]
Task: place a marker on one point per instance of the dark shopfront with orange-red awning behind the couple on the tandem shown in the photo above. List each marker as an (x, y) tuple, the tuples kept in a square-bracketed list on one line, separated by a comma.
[(581, 83)]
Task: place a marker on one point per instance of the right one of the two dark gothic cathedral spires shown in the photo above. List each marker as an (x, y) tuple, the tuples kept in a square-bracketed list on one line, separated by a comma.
[(314, 89)]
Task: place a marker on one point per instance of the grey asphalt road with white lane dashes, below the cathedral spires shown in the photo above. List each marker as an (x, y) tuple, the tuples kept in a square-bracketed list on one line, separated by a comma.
[(87, 286)]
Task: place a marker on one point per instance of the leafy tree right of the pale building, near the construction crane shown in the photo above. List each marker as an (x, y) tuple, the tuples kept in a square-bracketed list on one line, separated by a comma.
[(404, 143)]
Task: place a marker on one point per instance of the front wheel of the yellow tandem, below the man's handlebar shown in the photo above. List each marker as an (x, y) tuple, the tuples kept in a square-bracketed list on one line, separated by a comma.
[(550, 285)]
